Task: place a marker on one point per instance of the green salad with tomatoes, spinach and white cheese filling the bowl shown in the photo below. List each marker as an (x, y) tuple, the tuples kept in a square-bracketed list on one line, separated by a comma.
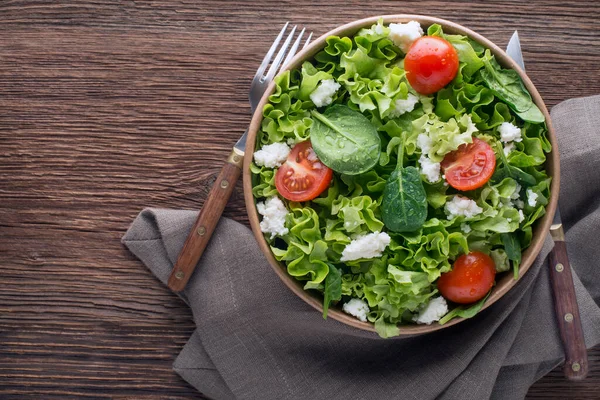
[(398, 171)]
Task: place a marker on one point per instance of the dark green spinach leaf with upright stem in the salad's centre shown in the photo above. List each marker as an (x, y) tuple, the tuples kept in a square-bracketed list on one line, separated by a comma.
[(404, 203)]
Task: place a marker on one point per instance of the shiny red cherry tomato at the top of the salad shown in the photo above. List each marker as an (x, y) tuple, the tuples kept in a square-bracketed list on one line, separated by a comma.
[(430, 64)]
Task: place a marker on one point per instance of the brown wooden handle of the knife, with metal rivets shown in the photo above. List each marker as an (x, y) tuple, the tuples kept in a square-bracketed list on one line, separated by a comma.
[(567, 313)]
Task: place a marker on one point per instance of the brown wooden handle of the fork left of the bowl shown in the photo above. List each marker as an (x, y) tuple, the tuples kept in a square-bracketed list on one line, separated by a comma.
[(206, 223)]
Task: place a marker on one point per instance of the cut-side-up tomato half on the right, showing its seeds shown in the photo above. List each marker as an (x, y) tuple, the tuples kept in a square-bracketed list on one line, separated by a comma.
[(470, 166)]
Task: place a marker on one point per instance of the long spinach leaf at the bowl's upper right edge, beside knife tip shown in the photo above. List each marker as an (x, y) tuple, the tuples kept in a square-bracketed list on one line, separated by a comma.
[(506, 84)]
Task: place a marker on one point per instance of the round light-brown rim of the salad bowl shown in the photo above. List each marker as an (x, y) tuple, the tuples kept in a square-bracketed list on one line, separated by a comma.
[(506, 282)]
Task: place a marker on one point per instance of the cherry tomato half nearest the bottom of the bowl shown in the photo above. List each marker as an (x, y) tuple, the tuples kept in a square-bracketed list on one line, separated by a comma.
[(472, 276)]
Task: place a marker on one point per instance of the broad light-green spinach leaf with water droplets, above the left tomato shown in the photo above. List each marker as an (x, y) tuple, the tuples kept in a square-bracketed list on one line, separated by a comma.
[(345, 140)]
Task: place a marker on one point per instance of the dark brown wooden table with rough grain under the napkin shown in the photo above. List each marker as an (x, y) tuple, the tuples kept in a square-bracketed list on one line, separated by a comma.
[(108, 107)]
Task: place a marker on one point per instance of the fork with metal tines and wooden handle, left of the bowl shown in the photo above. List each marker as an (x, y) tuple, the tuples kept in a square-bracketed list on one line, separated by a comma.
[(223, 186)]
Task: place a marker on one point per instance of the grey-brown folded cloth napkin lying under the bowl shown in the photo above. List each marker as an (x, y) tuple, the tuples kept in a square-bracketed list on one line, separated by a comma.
[(256, 340)]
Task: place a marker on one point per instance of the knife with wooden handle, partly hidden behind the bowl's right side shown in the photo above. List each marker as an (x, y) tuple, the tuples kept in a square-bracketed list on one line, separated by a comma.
[(561, 279)]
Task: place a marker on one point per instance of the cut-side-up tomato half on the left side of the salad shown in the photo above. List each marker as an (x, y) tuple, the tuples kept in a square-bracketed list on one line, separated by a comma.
[(302, 177)]
